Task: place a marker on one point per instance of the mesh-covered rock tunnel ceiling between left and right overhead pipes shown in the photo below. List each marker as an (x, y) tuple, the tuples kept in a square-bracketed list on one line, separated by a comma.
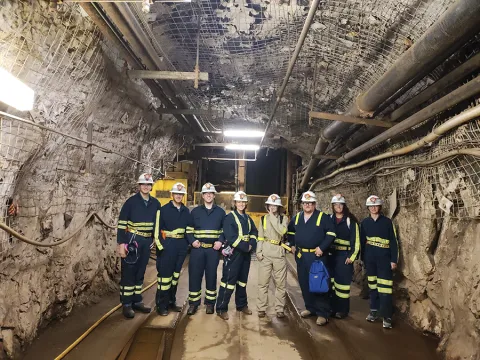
[(245, 46)]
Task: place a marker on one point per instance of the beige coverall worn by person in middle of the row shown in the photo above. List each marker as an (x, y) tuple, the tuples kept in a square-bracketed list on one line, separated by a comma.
[(271, 260)]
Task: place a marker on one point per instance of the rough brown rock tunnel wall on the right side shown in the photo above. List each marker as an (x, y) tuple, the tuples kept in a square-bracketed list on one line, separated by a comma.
[(437, 217)]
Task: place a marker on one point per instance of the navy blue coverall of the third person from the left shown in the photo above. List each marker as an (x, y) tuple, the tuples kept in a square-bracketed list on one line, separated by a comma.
[(207, 228)]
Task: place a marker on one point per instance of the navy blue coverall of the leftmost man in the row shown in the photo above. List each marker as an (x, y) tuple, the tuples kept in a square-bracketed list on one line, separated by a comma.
[(136, 223)]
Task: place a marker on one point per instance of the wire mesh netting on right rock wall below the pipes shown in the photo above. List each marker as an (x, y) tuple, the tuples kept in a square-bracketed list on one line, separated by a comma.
[(443, 186)]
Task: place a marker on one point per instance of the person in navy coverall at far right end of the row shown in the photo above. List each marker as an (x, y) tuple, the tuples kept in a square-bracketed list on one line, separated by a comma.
[(380, 254)]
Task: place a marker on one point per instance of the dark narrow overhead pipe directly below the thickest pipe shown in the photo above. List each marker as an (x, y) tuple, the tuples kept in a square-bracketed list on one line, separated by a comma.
[(452, 78)]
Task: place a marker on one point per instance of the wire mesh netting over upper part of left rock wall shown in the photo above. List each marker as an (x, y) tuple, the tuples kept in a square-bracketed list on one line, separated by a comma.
[(61, 55)]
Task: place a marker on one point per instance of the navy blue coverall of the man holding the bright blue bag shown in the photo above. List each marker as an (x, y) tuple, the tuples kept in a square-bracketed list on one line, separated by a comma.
[(318, 231)]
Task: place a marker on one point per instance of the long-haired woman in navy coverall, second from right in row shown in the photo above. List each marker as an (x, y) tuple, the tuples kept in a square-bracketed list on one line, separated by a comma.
[(346, 247)]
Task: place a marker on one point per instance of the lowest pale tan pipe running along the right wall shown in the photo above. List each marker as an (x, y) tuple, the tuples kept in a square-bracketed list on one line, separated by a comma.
[(450, 124)]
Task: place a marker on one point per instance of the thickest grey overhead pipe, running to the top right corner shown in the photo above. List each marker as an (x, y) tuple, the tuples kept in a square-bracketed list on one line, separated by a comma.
[(443, 38)]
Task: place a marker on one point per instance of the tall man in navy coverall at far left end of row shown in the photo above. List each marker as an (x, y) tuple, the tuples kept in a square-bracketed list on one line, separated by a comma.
[(138, 218)]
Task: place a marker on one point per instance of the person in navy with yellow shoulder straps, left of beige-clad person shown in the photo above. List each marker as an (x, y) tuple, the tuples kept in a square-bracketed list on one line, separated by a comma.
[(241, 236)]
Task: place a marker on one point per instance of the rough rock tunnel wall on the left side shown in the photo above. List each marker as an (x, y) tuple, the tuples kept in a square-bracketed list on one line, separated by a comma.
[(76, 77)]
